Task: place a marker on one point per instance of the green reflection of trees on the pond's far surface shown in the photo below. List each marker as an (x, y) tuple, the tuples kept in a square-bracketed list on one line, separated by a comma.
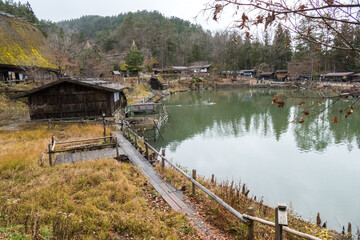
[(239, 112)]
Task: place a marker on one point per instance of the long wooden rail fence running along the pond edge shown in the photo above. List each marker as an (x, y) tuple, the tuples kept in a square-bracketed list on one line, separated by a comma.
[(280, 223)]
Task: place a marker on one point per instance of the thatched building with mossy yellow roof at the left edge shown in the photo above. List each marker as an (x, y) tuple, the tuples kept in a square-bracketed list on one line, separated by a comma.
[(23, 53)]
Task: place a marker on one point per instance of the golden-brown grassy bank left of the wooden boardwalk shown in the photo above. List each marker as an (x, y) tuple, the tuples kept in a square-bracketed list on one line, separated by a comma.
[(92, 200)]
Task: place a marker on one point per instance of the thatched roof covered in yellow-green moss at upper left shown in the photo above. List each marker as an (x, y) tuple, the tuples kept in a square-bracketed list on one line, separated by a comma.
[(22, 44)]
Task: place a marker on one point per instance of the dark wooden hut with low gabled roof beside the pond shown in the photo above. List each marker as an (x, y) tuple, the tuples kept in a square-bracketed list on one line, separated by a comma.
[(75, 98)]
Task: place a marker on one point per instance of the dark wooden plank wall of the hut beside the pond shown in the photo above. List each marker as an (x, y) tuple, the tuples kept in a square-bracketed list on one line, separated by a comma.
[(68, 100)]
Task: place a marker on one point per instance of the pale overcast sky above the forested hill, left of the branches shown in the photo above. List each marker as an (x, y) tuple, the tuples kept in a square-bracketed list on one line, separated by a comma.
[(57, 10)]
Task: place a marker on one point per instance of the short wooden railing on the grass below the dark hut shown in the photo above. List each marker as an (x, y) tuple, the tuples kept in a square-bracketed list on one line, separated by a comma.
[(84, 144)]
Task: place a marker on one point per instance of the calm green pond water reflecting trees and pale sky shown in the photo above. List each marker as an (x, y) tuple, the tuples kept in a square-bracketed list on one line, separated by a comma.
[(239, 135)]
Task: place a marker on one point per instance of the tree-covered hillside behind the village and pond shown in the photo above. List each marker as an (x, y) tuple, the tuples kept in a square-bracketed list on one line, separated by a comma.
[(173, 41)]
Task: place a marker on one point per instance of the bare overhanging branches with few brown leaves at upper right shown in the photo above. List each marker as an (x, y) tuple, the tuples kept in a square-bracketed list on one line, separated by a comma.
[(328, 15)]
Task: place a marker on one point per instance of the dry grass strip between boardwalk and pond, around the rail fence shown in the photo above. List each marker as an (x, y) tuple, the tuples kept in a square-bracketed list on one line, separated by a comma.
[(239, 197)]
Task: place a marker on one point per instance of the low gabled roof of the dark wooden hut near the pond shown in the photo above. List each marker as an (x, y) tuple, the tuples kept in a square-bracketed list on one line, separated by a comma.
[(88, 82)]
